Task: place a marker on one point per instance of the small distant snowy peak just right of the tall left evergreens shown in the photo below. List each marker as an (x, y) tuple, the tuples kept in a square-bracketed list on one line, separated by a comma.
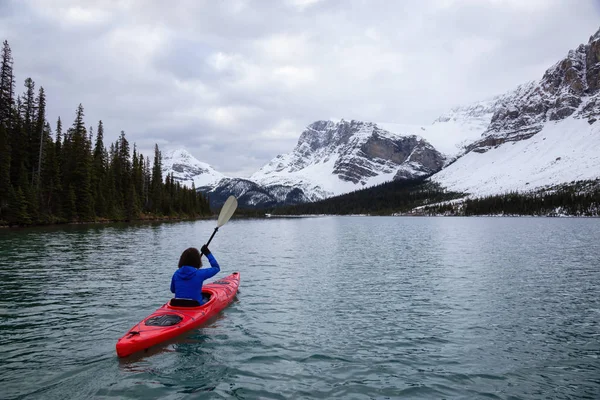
[(187, 170)]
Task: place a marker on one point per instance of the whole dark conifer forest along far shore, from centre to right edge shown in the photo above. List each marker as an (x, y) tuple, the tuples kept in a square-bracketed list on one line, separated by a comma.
[(423, 197)]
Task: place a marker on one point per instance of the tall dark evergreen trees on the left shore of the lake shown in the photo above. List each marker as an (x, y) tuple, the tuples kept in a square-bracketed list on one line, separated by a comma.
[(70, 176)]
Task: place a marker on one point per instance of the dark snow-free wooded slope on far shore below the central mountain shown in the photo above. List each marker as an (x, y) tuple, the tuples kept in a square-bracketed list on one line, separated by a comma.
[(385, 199)]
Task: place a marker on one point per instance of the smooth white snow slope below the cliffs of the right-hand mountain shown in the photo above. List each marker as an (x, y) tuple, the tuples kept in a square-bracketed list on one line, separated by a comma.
[(563, 151)]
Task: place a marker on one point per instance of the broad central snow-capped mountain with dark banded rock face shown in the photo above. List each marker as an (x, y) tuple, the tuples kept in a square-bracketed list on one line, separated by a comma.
[(332, 158)]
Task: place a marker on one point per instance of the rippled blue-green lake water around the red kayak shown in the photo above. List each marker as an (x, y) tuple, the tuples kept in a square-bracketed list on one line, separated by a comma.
[(331, 307)]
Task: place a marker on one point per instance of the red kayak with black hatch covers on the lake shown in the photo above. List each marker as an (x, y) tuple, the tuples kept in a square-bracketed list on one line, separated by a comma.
[(178, 316)]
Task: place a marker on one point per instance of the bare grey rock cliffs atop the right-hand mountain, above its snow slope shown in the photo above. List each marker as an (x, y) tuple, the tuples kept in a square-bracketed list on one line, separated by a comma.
[(569, 88)]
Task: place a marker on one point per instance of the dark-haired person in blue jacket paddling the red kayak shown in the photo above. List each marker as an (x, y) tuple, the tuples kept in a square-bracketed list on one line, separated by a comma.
[(187, 280)]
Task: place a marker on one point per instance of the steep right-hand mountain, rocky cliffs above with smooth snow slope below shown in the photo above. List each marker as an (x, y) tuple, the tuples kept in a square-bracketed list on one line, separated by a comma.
[(543, 133)]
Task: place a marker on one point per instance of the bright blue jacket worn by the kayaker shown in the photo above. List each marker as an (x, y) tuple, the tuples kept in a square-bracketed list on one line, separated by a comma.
[(187, 281)]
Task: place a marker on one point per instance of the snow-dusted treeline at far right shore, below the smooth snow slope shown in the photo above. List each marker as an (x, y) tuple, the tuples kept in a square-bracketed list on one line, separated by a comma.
[(581, 198)]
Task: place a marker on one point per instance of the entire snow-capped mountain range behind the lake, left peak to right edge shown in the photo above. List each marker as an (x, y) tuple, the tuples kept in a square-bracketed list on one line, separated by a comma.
[(542, 133)]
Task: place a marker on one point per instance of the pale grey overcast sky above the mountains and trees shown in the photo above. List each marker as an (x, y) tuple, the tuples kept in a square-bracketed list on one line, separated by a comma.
[(235, 82)]
